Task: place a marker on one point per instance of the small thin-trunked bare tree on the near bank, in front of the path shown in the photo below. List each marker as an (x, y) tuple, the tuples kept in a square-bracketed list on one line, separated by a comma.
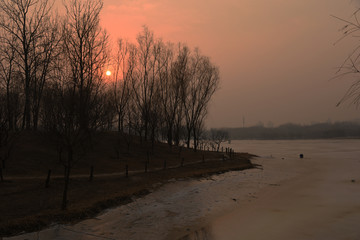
[(60, 103)]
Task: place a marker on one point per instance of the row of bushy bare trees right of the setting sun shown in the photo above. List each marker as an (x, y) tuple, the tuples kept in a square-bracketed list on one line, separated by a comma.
[(161, 89)]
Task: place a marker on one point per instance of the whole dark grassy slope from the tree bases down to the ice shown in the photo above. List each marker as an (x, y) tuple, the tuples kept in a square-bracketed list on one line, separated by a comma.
[(26, 205)]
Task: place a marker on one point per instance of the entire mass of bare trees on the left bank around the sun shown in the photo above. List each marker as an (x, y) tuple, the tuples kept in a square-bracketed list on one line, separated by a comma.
[(52, 79)]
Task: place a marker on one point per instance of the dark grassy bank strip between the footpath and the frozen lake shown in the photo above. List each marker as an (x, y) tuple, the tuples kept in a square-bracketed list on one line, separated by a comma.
[(28, 206)]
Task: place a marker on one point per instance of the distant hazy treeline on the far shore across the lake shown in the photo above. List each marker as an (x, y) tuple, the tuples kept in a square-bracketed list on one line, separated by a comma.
[(296, 131)]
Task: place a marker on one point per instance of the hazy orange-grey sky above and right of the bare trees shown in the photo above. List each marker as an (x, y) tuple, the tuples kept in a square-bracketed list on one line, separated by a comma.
[(276, 57)]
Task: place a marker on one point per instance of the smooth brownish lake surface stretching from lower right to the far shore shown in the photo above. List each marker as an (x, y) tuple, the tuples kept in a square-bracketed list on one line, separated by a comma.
[(319, 199)]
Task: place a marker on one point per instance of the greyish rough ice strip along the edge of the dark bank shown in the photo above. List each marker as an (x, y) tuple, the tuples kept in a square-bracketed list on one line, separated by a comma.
[(172, 211)]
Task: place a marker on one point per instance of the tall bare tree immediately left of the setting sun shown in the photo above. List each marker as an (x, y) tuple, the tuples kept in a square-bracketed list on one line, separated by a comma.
[(85, 45)]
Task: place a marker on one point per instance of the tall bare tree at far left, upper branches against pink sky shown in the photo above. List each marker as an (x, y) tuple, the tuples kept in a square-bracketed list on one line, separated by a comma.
[(23, 21)]
